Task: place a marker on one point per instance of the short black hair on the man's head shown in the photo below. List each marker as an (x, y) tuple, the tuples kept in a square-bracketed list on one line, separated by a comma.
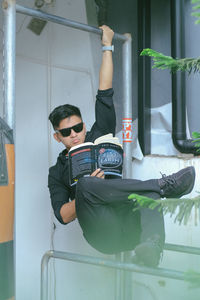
[(61, 112)]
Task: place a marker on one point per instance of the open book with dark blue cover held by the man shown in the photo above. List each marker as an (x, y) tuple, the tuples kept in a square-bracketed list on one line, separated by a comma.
[(105, 153)]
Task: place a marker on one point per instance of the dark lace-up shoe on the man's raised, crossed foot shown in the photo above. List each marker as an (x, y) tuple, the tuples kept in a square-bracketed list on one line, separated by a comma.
[(177, 184)]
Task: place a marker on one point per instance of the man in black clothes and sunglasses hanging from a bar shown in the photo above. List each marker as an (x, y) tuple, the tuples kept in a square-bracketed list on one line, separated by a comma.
[(102, 206)]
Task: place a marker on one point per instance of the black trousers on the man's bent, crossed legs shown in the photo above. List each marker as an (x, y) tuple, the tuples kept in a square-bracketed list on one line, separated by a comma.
[(106, 214)]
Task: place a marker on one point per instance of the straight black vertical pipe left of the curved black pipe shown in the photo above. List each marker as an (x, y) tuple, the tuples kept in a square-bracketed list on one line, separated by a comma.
[(144, 76)]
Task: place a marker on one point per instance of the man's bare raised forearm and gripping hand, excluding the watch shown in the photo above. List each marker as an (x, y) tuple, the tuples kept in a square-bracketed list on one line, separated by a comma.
[(106, 70)]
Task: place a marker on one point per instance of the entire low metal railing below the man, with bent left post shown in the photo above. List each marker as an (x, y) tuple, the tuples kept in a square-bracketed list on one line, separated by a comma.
[(161, 272)]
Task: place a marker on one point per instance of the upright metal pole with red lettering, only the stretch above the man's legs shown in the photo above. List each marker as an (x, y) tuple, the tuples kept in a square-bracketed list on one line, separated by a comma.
[(127, 106)]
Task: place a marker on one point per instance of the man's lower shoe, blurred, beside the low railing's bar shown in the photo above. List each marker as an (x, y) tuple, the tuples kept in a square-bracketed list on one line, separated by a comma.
[(149, 252)]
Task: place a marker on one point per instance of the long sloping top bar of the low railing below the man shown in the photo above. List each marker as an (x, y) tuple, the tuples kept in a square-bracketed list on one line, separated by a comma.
[(113, 264)]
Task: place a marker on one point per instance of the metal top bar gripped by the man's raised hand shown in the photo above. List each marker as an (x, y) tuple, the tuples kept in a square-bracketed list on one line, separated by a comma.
[(63, 21)]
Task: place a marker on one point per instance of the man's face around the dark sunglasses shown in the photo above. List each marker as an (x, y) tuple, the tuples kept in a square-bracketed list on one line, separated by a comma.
[(75, 138)]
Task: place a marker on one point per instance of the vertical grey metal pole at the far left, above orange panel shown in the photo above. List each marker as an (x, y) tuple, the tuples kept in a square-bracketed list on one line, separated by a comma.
[(9, 59)]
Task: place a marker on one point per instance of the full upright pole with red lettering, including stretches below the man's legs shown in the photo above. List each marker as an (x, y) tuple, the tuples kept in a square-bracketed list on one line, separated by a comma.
[(127, 142)]
